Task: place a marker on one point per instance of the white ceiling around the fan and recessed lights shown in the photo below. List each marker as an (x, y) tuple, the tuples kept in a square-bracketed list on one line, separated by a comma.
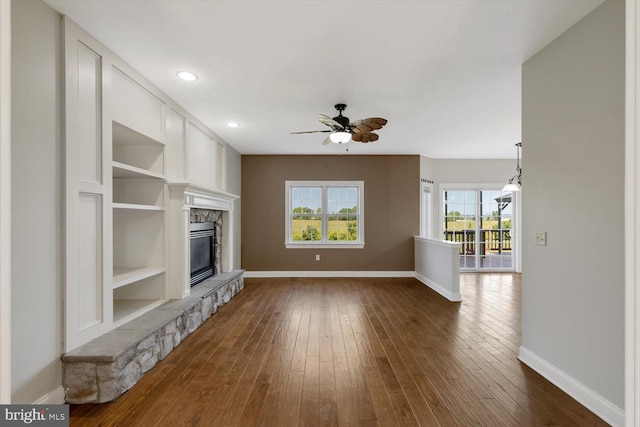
[(445, 73)]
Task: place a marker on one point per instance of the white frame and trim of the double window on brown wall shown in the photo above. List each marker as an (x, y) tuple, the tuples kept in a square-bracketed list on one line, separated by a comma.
[(324, 244)]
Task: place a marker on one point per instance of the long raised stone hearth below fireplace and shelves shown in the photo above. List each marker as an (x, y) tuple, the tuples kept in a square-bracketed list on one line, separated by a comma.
[(111, 364)]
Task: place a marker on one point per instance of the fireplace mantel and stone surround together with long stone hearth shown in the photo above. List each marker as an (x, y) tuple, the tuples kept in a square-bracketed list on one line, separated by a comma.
[(111, 364)]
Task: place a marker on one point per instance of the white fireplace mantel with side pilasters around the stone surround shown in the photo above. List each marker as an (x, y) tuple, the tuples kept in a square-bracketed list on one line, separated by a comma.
[(185, 196)]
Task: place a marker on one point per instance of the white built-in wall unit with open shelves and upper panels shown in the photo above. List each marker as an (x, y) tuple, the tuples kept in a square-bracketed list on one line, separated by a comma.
[(125, 143)]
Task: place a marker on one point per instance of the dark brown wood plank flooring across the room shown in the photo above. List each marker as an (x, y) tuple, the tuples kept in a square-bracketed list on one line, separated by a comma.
[(350, 352)]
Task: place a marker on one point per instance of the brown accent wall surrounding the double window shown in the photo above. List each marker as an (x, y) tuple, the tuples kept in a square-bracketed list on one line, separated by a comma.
[(391, 193)]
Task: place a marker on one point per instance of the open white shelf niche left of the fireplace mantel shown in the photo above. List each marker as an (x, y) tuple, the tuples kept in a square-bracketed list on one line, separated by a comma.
[(139, 193)]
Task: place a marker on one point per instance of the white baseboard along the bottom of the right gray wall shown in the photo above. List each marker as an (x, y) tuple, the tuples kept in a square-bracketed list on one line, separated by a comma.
[(587, 397)]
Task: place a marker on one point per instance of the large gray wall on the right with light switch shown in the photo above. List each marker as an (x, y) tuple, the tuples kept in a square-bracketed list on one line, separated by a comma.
[(573, 149)]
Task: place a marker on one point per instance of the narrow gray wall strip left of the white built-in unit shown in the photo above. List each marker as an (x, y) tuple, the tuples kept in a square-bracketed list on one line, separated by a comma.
[(36, 159)]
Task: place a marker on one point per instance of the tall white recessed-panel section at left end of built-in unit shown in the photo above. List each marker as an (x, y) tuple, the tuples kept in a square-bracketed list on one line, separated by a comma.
[(88, 296)]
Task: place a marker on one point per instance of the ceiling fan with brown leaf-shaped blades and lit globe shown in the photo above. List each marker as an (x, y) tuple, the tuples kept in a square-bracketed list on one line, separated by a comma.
[(343, 131)]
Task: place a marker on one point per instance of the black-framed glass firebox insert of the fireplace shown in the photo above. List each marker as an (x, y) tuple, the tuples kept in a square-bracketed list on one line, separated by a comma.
[(203, 241)]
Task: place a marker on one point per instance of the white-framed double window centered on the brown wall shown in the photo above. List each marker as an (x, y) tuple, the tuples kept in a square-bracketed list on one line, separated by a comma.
[(324, 214)]
